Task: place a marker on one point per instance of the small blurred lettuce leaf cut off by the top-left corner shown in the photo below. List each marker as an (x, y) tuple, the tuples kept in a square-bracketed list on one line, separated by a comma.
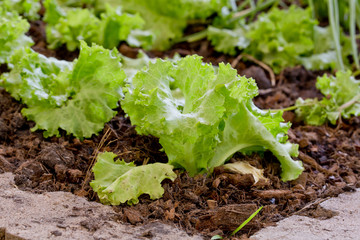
[(28, 8)]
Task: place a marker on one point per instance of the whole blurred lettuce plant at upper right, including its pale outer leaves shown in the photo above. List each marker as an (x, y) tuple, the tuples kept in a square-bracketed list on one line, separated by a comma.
[(281, 38)]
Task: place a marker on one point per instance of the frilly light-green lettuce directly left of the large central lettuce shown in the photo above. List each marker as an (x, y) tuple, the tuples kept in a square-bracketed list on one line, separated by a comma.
[(77, 97)]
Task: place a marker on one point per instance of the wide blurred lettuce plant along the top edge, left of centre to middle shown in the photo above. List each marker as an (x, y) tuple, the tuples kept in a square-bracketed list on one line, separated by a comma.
[(162, 22)]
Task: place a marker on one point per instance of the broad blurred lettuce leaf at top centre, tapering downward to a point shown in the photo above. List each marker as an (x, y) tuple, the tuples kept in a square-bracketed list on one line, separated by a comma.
[(167, 19)]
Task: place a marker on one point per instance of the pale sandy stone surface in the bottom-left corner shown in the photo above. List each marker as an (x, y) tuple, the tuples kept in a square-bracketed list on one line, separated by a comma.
[(61, 215)]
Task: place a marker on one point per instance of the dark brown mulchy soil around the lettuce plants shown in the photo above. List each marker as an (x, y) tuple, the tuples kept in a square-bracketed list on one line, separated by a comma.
[(209, 205)]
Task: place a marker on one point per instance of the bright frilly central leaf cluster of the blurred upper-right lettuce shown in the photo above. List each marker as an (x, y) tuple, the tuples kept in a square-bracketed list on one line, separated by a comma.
[(279, 37)]
